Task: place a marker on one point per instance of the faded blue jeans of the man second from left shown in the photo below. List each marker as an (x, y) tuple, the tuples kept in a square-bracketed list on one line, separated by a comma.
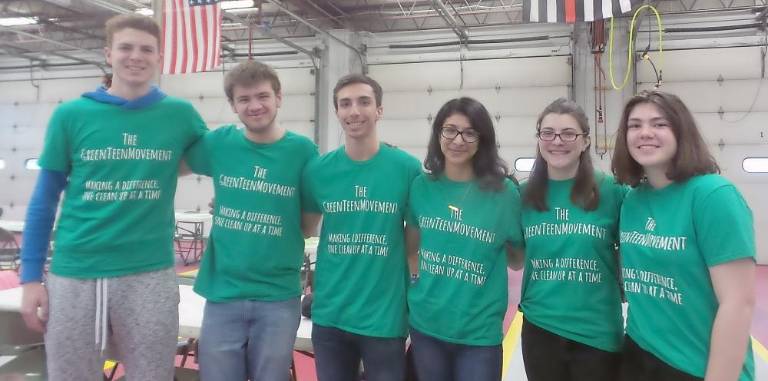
[(248, 339)]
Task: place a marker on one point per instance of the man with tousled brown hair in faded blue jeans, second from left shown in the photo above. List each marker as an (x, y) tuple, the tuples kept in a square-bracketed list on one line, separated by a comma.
[(250, 270)]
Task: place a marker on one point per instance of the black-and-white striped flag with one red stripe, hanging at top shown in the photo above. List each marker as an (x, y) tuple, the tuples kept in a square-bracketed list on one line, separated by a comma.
[(571, 11)]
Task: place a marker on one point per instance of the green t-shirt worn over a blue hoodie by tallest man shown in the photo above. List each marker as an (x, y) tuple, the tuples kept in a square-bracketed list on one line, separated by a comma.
[(117, 213)]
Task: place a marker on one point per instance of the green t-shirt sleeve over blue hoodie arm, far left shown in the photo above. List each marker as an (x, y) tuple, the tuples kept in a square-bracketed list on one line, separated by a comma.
[(56, 155)]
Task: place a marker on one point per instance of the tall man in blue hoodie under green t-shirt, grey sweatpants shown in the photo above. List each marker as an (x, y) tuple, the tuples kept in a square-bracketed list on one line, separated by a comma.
[(115, 153)]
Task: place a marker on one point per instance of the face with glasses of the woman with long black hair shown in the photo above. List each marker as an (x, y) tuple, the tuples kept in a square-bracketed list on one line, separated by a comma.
[(457, 151)]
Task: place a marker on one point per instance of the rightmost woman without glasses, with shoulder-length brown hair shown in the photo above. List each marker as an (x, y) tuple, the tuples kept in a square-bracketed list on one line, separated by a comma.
[(687, 249)]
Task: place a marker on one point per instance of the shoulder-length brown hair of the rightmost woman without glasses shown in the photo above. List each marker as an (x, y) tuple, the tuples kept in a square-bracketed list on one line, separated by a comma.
[(692, 156)]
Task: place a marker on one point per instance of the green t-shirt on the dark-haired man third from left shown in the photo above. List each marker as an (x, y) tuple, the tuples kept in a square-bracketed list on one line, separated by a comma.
[(361, 274)]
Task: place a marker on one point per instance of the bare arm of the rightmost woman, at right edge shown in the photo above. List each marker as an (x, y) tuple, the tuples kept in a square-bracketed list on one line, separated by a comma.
[(734, 284)]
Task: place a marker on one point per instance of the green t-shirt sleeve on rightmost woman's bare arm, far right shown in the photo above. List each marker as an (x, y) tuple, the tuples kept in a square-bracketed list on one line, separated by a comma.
[(724, 227)]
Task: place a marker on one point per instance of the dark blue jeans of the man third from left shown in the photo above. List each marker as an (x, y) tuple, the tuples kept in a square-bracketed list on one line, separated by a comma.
[(338, 354)]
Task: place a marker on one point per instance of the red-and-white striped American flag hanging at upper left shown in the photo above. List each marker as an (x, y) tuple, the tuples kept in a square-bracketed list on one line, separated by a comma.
[(191, 36)]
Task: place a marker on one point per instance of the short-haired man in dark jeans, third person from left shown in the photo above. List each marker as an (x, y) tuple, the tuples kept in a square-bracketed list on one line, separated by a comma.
[(361, 189)]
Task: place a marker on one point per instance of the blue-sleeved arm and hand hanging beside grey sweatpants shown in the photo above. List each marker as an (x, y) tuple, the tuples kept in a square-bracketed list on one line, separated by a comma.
[(41, 215)]
